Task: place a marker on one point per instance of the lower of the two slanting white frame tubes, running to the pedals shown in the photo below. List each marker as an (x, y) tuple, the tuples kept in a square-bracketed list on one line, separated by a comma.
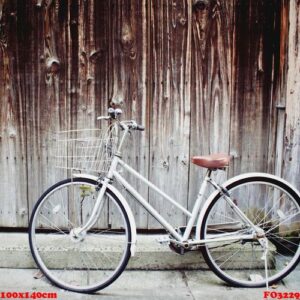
[(148, 207)]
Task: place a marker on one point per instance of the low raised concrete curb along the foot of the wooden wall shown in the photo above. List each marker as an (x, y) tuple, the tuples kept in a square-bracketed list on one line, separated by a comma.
[(150, 255)]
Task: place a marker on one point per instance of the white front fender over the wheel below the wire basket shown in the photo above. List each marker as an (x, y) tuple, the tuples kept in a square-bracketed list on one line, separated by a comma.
[(126, 207)]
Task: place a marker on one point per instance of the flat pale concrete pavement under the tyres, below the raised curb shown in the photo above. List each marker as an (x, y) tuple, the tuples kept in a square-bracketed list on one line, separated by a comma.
[(191, 285)]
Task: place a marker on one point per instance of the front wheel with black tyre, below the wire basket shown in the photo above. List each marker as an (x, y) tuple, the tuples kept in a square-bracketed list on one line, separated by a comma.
[(91, 261)]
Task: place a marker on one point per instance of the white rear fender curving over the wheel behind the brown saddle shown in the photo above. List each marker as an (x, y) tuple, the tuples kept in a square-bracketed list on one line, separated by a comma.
[(231, 181)]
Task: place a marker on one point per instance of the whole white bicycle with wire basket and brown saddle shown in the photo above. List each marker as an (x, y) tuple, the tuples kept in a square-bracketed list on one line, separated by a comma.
[(247, 229)]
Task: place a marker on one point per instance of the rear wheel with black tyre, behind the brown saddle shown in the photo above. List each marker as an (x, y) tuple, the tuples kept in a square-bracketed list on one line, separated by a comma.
[(273, 206)]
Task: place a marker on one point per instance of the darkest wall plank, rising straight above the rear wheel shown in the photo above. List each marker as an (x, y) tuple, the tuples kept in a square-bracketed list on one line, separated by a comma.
[(252, 109)]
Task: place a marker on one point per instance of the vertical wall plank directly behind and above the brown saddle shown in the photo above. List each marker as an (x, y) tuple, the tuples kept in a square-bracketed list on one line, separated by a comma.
[(212, 50)]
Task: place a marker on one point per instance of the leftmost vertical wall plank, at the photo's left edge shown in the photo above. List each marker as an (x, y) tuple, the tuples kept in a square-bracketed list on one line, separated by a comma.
[(13, 210)]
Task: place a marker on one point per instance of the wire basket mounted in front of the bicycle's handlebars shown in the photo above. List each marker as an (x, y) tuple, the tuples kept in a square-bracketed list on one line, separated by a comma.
[(86, 150)]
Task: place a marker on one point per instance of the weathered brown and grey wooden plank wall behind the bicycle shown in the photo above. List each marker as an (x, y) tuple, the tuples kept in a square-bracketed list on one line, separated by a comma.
[(203, 76)]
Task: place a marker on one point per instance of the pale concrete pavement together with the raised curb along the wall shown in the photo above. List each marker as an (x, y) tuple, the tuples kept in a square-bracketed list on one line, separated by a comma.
[(177, 281)]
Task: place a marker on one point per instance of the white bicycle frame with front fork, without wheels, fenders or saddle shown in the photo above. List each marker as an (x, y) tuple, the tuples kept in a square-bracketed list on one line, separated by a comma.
[(192, 216)]
